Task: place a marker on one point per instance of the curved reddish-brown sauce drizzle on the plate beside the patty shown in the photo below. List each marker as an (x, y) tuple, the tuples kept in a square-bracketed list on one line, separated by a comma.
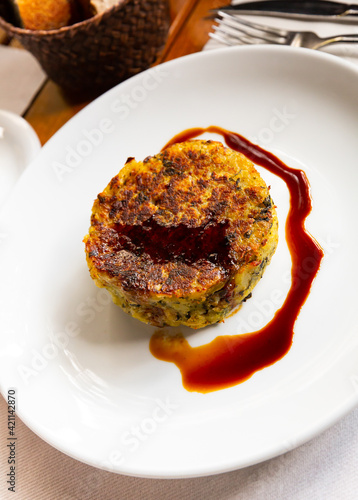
[(231, 359)]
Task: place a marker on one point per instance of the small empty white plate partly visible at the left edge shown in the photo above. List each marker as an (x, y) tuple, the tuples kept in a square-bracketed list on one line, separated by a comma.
[(19, 145)]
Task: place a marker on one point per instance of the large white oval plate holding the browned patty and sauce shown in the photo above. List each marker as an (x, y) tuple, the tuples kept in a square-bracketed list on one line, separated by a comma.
[(85, 379)]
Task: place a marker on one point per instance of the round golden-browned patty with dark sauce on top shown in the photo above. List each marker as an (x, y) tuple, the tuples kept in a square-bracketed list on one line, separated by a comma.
[(183, 237)]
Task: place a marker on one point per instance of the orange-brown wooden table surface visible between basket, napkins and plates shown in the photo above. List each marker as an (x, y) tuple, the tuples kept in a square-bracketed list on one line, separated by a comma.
[(188, 33)]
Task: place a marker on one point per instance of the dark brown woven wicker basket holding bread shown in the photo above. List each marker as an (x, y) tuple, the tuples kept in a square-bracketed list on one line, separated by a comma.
[(102, 51)]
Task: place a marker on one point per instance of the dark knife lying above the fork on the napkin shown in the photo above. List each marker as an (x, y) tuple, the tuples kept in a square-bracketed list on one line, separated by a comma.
[(308, 9)]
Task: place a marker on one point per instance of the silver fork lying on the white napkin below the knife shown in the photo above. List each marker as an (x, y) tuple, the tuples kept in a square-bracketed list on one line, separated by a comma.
[(232, 30)]
